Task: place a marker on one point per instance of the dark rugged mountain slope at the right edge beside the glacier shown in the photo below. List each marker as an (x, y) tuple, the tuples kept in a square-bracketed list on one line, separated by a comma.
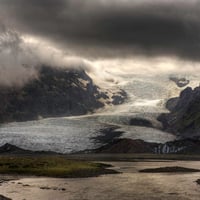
[(184, 116)]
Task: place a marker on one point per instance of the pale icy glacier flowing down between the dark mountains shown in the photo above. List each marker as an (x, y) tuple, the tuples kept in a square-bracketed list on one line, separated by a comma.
[(146, 98)]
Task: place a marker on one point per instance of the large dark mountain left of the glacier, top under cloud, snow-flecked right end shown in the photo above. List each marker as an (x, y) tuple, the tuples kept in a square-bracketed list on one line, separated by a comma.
[(56, 92)]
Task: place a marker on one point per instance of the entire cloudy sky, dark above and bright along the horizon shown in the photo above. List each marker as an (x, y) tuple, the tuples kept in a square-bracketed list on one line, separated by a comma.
[(157, 36)]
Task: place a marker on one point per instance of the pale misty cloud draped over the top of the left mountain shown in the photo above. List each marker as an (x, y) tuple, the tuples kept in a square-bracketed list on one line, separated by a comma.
[(20, 57)]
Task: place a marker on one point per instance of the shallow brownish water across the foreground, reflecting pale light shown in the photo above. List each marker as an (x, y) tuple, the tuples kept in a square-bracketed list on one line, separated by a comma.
[(129, 185)]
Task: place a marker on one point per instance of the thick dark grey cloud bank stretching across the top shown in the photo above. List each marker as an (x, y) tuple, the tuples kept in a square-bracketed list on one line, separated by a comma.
[(111, 28)]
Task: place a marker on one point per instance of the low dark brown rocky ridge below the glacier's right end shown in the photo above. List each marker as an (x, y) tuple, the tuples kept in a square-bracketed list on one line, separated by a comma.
[(187, 146)]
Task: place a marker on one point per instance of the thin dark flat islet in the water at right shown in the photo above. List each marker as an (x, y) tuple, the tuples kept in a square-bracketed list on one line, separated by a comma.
[(169, 170)]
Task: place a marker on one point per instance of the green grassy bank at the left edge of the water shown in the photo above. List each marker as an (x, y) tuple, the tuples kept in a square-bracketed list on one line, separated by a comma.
[(51, 166)]
